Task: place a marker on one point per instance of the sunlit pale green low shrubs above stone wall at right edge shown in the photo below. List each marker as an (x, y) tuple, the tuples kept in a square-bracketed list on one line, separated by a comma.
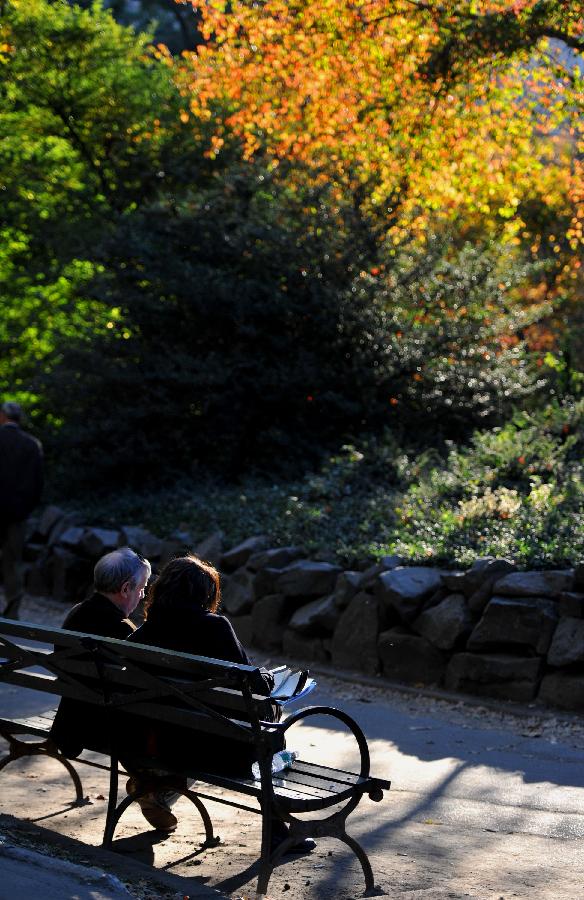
[(517, 491)]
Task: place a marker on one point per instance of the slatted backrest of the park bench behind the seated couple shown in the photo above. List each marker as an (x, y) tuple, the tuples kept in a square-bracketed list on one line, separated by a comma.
[(195, 692)]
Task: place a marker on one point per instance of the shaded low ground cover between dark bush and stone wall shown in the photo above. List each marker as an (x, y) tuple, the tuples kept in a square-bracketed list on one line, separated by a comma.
[(337, 511)]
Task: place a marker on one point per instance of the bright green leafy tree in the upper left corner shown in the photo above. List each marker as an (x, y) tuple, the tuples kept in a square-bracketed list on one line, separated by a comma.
[(90, 129)]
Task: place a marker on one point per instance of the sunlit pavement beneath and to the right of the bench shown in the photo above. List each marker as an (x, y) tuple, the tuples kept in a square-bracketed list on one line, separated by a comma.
[(437, 832)]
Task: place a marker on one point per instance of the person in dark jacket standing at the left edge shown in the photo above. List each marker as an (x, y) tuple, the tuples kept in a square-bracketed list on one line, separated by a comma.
[(21, 484)]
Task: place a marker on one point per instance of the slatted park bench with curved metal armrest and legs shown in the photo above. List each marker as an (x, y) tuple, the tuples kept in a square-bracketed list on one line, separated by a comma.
[(209, 695)]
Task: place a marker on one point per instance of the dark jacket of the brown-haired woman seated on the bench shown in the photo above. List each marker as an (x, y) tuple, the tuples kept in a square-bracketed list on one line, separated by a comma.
[(200, 633)]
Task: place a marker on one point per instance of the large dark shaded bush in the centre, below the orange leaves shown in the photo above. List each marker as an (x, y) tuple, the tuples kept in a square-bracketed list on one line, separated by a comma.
[(260, 337)]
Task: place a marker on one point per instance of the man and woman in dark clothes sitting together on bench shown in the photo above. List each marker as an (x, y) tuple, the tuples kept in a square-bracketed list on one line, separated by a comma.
[(180, 614)]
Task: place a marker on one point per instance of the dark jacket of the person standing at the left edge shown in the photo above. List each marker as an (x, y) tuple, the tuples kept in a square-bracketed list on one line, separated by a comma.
[(21, 474)]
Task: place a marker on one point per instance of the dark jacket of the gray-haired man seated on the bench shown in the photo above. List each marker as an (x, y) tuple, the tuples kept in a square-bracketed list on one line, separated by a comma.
[(77, 724)]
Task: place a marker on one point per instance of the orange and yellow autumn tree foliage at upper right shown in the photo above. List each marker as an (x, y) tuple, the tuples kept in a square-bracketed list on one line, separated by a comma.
[(433, 109)]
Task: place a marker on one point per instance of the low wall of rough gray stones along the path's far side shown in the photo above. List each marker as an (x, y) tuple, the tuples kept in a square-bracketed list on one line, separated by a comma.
[(491, 630)]
